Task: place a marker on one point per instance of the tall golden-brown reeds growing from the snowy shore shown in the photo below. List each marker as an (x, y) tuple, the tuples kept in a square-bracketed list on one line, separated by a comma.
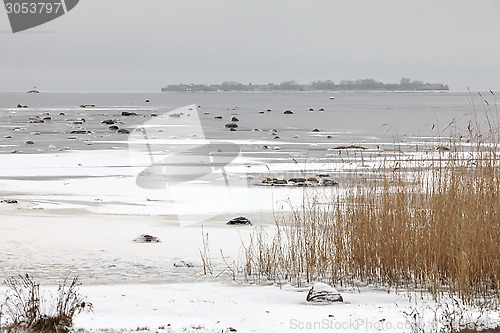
[(431, 223)]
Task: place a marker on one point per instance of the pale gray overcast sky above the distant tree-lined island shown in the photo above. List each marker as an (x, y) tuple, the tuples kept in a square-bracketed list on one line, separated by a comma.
[(142, 45)]
